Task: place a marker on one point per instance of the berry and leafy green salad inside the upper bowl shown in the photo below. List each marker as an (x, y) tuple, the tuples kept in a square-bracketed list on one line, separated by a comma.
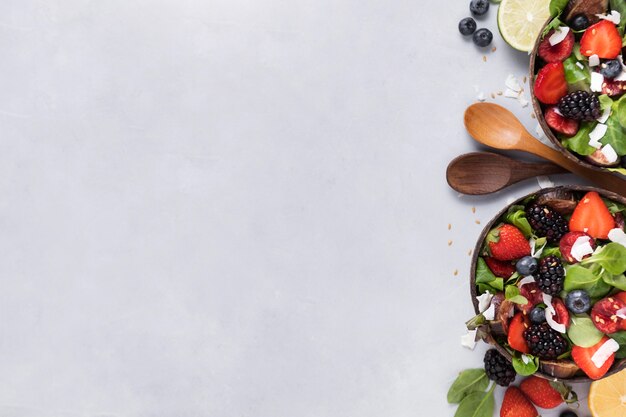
[(580, 80)]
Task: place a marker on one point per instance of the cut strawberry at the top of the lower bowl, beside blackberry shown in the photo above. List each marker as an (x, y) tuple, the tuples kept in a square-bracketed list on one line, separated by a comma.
[(592, 217)]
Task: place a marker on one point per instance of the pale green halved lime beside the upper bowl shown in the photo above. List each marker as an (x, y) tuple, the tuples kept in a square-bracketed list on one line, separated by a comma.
[(520, 21)]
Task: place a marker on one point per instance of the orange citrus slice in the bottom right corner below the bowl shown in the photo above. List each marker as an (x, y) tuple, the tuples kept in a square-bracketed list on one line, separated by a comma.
[(607, 397)]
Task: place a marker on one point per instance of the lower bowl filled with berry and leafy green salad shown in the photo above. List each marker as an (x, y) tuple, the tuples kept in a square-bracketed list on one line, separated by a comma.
[(548, 284)]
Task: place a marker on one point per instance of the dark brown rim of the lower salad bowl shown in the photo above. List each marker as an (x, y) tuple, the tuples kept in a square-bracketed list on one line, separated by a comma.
[(618, 365)]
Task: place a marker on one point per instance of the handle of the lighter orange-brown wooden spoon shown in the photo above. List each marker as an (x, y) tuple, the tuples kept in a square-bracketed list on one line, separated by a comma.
[(605, 180)]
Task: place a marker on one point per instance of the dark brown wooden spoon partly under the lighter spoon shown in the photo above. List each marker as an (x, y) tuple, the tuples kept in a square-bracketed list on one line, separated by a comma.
[(479, 173)]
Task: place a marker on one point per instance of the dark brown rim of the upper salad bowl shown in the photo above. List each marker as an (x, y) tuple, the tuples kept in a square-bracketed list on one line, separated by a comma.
[(539, 114)]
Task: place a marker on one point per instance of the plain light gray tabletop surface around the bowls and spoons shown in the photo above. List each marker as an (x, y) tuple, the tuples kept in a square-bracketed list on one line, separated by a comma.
[(237, 207)]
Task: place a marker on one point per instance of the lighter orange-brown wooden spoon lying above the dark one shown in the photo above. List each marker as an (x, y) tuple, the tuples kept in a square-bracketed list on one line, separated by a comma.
[(495, 126)]
